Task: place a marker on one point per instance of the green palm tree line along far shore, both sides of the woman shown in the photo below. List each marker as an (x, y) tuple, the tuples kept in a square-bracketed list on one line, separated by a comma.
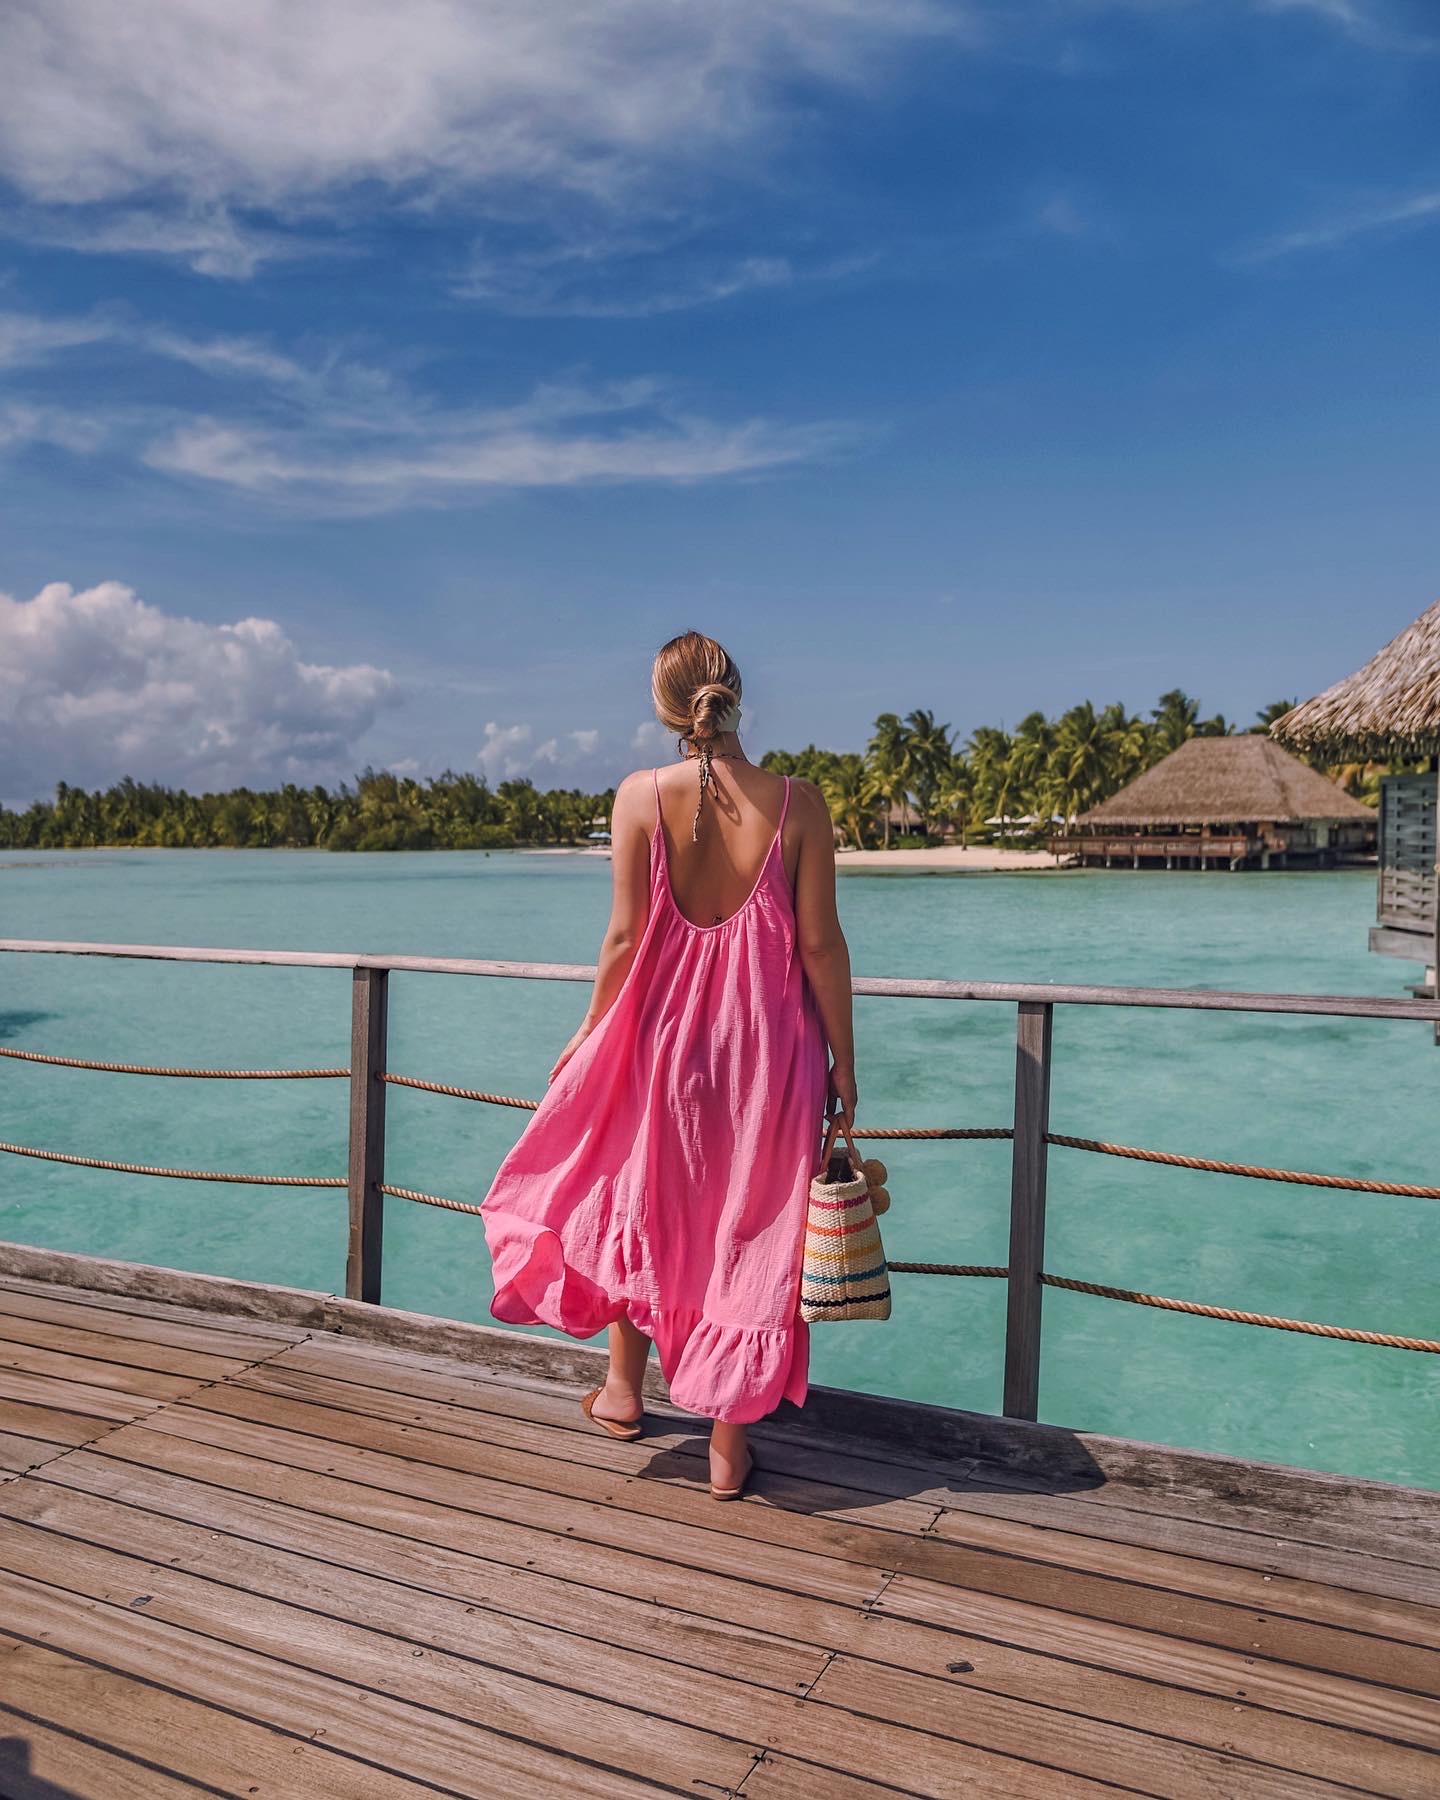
[(913, 771)]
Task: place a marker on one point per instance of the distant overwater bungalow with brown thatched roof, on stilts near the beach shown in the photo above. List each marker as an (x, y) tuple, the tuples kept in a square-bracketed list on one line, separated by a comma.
[(1223, 804)]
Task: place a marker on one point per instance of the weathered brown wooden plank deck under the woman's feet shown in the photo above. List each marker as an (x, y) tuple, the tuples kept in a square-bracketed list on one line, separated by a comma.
[(267, 1558)]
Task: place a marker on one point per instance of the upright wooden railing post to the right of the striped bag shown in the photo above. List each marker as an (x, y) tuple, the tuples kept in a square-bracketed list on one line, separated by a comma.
[(1029, 1210)]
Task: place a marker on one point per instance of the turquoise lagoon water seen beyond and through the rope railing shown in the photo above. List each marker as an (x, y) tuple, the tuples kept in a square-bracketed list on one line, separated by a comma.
[(1347, 1097)]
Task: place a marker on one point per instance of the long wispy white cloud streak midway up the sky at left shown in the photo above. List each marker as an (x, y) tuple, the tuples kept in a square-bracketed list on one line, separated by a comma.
[(334, 435)]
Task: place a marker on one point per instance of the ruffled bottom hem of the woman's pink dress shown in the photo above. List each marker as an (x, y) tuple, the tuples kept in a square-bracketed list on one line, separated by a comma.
[(732, 1372)]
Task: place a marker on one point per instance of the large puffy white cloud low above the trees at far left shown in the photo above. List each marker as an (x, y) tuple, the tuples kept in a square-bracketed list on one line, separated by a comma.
[(96, 685)]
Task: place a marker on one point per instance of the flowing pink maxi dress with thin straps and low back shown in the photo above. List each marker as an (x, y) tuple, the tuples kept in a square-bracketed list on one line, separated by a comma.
[(665, 1173)]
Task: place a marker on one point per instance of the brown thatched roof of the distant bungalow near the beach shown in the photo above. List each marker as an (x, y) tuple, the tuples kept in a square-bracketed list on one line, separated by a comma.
[(1228, 782)]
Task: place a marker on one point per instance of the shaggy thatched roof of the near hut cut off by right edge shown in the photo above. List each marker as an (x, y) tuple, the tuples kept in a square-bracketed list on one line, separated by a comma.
[(1387, 712)]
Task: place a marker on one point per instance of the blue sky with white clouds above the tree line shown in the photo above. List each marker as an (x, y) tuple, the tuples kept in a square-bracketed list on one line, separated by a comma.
[(386, 384)]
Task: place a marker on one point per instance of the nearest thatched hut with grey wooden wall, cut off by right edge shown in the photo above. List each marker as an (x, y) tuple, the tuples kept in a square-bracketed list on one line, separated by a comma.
[(1389, 712)]
